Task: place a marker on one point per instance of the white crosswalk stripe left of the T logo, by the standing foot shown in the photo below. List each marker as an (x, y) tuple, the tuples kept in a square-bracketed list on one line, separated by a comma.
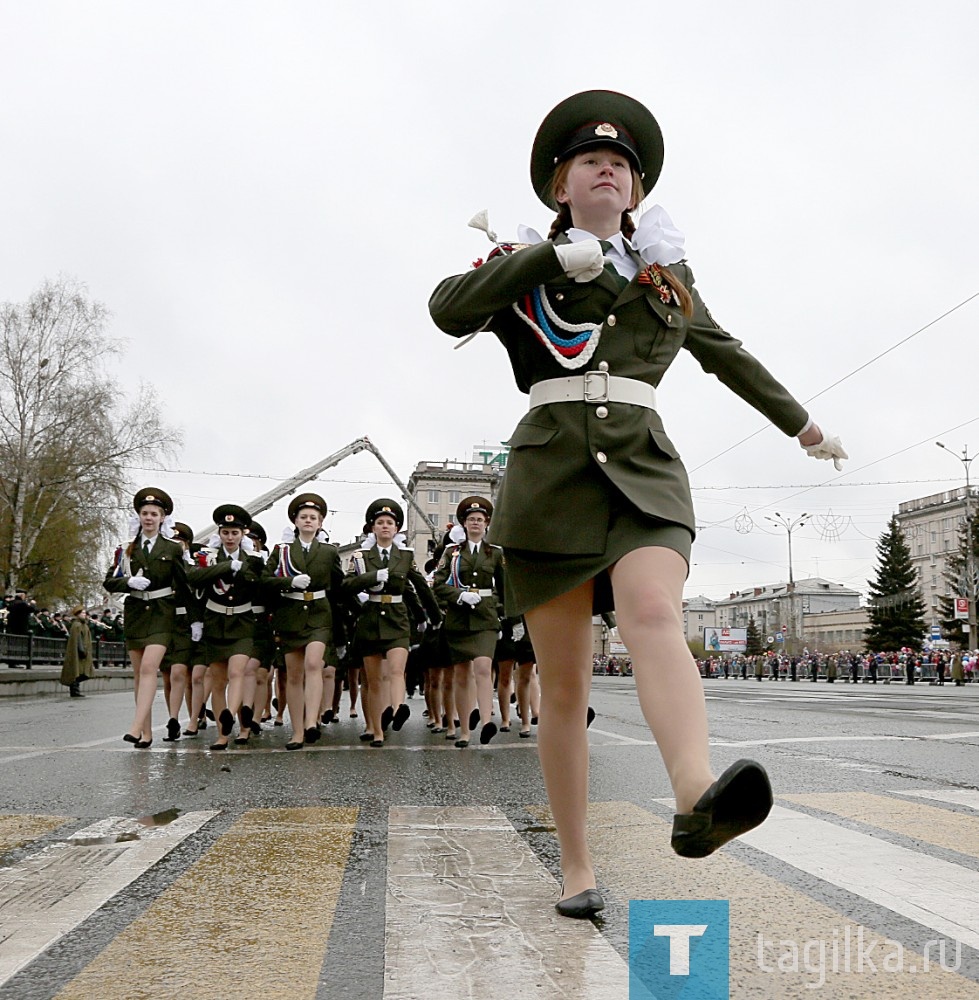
[(470, 913)]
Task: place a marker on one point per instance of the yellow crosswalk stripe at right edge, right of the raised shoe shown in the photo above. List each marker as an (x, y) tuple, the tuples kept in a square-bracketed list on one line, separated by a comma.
[(928, 824)]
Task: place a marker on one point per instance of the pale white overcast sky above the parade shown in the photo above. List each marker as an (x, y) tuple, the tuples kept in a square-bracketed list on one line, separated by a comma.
[(264, 195)]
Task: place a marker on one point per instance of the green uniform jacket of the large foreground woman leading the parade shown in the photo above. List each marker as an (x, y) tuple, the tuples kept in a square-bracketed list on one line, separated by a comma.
[(554, 461)]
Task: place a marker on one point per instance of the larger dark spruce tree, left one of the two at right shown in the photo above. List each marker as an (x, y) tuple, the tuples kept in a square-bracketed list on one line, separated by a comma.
[(897, 610)]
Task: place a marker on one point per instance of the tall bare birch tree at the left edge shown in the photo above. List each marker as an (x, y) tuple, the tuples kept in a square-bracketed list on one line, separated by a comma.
[(67, 430)]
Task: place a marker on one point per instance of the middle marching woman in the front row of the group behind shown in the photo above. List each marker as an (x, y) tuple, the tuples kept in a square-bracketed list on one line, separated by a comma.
[(307, 575)]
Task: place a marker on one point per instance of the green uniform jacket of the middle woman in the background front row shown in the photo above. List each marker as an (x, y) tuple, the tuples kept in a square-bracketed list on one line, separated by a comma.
[(322, 565)]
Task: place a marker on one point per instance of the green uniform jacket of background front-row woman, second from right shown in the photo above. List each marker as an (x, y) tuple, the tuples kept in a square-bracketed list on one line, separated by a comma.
[(380, 621)]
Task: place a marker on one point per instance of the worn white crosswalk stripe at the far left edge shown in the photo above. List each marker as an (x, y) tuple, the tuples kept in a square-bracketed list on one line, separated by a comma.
[(49, 893)]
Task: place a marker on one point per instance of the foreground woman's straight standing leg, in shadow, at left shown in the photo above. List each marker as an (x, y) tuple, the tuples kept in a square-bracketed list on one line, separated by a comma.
[(561, 633)]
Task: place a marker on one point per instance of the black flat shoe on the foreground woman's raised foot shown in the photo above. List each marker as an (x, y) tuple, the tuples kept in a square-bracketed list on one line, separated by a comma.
[(737, 802)]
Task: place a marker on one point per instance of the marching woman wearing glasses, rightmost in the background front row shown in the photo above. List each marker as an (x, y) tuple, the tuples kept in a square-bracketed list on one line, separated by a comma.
[(469, 580)]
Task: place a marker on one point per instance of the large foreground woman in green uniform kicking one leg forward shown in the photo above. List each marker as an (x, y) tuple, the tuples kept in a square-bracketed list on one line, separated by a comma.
[(591, 321)]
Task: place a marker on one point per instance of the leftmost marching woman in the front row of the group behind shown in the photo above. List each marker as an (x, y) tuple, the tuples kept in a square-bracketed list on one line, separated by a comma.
[(148, 570)]
